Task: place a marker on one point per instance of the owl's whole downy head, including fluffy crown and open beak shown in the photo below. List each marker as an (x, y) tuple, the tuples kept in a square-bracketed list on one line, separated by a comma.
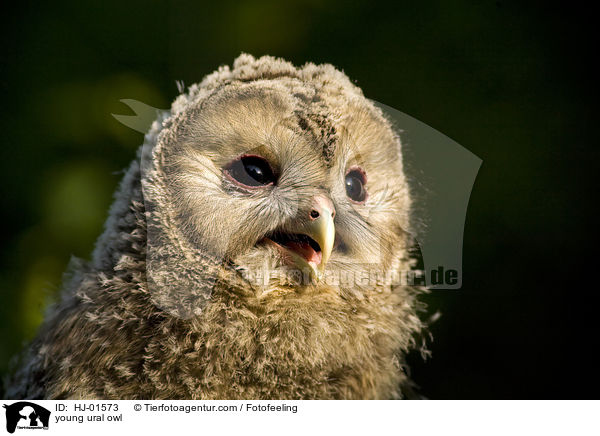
[(280, 180)]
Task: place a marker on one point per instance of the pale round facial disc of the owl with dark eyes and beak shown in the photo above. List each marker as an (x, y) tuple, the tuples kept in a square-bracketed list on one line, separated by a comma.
[(292, 187)]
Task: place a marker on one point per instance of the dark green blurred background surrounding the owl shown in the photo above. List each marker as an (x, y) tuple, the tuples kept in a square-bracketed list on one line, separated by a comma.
[(508, 81)]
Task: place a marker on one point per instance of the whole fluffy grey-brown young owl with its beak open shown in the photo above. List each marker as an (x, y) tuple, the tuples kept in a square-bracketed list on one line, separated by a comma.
[(220, 273)]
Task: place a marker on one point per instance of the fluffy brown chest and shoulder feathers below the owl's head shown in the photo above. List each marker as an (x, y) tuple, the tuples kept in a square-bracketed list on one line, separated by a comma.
[(289, 349)]
